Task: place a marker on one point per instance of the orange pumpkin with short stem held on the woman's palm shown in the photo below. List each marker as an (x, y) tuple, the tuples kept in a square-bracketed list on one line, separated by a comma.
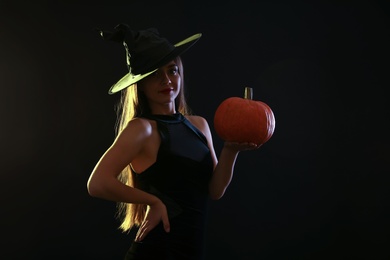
[(244, 120)]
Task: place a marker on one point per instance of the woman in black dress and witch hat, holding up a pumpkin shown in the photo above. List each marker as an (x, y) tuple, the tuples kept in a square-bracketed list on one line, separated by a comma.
[(161, 168)]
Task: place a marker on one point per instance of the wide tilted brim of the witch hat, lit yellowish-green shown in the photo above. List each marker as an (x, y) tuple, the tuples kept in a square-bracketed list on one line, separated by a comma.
[(130, 79)]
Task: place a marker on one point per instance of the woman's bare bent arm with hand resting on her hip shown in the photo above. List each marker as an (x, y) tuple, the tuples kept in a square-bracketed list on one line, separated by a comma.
[(103, 182)]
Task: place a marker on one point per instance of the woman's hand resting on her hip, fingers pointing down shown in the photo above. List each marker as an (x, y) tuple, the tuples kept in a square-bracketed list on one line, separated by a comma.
[(154, 214)]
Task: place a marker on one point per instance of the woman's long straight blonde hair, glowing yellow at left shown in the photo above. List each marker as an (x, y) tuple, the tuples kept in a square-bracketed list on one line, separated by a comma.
[(133, 103)]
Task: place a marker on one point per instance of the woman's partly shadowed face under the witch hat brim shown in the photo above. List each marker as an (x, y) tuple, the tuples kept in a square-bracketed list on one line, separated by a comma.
[(162, 87)]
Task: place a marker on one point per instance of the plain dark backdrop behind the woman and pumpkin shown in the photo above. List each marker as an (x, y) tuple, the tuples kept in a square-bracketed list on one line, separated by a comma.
[(318, 189)]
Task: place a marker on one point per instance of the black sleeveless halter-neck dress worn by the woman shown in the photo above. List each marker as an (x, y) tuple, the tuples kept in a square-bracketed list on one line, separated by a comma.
[(180, 178)]
